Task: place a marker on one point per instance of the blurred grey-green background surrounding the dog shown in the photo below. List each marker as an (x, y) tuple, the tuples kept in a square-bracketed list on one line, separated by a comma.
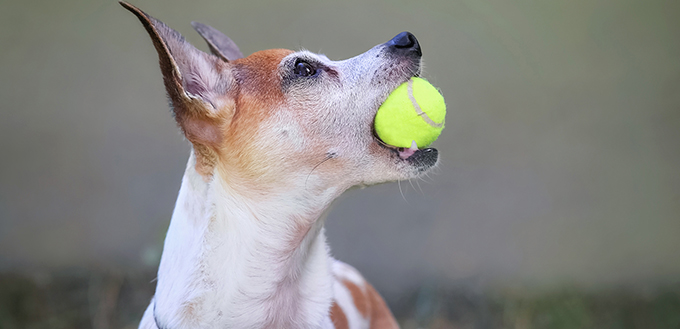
[(556, 205)]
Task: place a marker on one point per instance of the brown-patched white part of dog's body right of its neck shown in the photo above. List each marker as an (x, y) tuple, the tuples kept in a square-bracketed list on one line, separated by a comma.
[(356, 303)]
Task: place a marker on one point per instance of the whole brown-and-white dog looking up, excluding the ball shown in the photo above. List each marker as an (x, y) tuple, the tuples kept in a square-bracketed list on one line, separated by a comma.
[(276, 137)]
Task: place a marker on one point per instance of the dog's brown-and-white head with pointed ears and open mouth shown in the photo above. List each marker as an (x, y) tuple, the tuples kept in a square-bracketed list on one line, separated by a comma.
[(278, 117)]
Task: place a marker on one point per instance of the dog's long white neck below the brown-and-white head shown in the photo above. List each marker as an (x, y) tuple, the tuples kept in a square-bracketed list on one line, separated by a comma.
[(231, 261)]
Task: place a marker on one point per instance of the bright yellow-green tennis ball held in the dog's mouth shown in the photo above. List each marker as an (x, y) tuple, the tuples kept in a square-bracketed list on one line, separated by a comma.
[(414, 111)]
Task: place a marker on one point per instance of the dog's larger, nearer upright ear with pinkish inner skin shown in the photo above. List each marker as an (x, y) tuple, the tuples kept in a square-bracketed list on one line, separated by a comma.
[(199, 86)]
